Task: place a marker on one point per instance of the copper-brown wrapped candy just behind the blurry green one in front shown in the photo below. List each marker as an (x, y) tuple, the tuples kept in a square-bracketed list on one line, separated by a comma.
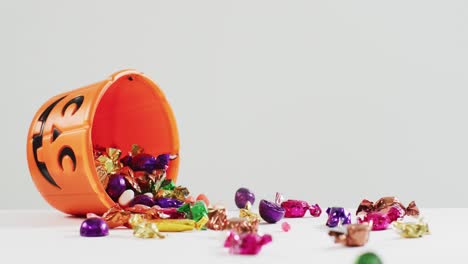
[(352, 235)]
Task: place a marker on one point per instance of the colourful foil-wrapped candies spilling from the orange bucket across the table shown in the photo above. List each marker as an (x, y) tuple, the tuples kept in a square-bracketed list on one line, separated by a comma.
[(150, 204)]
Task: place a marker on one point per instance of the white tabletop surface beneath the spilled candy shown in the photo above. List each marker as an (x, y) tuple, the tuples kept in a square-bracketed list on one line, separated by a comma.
[(52, 236)]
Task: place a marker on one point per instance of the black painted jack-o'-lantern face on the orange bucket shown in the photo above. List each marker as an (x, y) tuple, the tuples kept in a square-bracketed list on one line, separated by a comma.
[(38, 138)]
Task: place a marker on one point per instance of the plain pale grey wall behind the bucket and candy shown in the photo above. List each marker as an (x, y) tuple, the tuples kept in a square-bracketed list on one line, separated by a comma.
[(328, 101)]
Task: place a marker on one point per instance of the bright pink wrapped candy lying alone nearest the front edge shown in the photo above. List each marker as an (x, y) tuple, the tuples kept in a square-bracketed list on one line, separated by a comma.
[(246, 244)]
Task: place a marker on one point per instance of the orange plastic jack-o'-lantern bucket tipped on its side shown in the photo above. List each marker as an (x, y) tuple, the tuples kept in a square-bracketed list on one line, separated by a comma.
[(127, 108)]
